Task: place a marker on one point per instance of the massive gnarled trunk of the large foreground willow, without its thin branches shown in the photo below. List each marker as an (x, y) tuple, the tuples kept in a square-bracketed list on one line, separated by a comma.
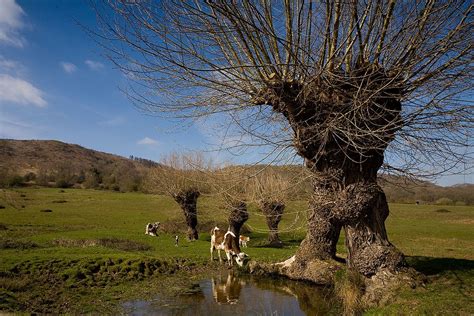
[(342, 141)]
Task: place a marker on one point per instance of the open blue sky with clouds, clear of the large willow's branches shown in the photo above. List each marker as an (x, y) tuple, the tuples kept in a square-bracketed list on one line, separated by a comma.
[(55, 84)]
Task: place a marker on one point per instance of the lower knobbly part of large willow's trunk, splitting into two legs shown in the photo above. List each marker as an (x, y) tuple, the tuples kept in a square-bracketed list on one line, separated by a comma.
[(358, 204)]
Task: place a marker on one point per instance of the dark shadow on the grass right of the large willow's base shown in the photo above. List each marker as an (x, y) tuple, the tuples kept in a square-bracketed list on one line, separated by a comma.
[(432, 266)]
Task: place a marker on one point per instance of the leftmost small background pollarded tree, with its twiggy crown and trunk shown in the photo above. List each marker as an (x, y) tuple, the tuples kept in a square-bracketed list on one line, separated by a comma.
[(181, 177)]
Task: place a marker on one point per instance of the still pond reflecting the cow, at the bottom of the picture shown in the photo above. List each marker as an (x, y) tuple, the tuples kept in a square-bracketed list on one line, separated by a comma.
[(229, 294)]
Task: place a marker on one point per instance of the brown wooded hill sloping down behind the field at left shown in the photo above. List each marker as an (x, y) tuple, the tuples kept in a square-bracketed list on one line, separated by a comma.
[(50, 162)]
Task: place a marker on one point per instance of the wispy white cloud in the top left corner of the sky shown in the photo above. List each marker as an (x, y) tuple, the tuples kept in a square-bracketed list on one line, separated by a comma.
[(10, 23)]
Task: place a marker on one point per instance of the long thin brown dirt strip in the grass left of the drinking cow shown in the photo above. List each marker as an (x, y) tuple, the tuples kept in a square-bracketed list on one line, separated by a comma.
[(115, 243)]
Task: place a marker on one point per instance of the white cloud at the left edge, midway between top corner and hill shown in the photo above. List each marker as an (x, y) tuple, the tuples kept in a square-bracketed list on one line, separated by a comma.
[(19, 91)]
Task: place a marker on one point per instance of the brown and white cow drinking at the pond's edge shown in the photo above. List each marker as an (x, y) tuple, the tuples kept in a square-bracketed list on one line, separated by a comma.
[(228, 242)]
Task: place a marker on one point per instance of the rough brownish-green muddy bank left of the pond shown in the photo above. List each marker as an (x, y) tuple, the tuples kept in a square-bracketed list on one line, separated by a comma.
[(91, 285)]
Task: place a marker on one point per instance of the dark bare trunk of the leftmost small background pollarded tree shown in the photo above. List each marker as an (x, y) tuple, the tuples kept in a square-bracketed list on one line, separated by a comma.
[(187, 199)]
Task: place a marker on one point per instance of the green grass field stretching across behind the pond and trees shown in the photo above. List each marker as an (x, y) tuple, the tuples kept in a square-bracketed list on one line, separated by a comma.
[(91, 245)]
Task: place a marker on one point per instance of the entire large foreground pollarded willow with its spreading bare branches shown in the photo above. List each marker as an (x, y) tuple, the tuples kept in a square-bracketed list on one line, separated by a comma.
[(351, 85)]
